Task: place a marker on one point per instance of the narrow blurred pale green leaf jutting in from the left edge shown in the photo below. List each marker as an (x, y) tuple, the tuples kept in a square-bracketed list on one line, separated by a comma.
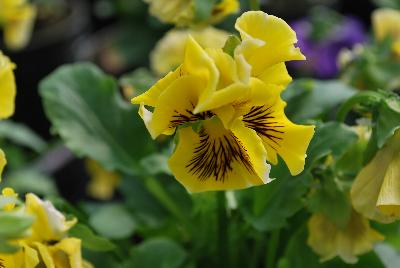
[(22, 135)]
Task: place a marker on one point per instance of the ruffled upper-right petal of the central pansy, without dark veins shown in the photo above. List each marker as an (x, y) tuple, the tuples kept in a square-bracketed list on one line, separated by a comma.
[(267, 42)]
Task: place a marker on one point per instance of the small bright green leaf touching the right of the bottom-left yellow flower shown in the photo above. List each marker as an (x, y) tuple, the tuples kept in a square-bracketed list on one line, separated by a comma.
[(90, 240)]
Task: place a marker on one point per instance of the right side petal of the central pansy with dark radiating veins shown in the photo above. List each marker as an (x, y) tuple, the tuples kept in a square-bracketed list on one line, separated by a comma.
[(279, 135)]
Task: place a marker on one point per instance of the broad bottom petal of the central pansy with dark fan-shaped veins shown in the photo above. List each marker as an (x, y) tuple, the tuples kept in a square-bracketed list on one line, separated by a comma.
[(219, 159)]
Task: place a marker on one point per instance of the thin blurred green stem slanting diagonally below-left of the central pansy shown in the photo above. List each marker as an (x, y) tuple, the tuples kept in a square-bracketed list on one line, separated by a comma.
[(159, 192)]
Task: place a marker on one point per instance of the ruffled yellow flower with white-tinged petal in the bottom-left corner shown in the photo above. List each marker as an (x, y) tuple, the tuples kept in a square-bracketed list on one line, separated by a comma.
[(46, 243)]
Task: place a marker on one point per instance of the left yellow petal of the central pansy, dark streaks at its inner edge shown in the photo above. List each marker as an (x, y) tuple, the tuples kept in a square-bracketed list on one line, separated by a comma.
[(176, 105)]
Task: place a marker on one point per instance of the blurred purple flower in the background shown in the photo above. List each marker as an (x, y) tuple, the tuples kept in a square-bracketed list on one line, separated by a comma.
[(322, 52)]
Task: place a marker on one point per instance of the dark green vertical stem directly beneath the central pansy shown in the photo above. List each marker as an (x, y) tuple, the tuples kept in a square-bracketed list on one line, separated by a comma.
[(223, 243)]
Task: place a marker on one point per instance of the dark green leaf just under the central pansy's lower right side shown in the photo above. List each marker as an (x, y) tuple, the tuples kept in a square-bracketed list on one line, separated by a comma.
[(268, 207)]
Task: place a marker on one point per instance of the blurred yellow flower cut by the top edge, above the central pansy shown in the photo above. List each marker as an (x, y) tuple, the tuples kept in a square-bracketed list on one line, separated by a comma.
[(183, 13)]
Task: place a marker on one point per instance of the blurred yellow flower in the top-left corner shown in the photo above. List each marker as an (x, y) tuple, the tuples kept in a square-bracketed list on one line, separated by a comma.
[(17, 19)]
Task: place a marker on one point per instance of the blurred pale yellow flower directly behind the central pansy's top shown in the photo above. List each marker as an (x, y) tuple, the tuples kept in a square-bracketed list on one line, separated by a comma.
[(169, 52)]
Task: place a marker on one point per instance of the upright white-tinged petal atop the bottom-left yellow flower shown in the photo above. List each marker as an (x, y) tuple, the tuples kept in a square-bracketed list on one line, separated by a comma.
[(49, 224)]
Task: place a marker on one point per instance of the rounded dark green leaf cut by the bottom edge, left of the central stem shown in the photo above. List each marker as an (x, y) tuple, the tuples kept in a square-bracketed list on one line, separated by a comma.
[(158, 252)]
